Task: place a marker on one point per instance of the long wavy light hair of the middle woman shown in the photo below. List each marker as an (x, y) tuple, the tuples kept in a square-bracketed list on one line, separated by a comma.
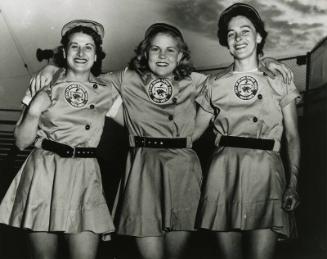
[(139, 63)]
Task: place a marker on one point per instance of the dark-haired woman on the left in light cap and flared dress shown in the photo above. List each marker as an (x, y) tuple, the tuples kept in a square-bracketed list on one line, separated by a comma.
[(58, 190)]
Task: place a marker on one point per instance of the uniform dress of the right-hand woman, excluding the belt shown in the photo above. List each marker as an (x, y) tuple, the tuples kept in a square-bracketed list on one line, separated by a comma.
[(244, 187)]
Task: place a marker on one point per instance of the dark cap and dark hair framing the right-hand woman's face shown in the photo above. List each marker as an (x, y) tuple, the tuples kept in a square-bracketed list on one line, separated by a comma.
[(239, 9)]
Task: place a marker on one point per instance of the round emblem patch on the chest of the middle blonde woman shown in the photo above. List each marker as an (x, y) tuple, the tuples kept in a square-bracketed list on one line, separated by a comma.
[(160, 91)]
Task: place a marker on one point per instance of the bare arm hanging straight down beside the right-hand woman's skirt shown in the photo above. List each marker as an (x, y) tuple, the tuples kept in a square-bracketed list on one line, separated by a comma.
[(291, 199)]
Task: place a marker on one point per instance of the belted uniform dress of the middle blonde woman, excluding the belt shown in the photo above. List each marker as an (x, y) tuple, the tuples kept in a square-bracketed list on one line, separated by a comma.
[(160, 189)]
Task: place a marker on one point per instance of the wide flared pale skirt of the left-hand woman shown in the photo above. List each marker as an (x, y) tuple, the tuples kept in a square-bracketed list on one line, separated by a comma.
[(55, 194)]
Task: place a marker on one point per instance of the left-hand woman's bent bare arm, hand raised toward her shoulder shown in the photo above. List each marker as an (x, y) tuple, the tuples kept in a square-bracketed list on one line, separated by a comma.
[(27, 125)]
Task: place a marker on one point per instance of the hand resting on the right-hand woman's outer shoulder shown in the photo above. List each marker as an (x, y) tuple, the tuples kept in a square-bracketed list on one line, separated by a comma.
[(273, 68)]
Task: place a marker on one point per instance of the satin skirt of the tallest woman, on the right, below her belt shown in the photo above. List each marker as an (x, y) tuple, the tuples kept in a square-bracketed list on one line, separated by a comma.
[(243, 191)]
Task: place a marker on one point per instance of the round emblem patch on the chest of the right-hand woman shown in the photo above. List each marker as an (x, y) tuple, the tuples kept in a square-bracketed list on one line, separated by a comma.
[(246, 87)]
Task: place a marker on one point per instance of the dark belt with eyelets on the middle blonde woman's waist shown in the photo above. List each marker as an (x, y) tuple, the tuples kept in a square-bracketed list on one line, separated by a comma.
[(160, 142)]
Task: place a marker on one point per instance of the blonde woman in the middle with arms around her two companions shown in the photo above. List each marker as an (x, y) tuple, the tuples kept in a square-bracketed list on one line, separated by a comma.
[(159, 193)]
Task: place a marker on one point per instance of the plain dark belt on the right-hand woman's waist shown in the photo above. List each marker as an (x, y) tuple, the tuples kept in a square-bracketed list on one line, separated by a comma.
[(254, 143)]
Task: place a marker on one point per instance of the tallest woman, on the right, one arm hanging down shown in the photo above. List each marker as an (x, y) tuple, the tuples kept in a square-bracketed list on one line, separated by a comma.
[(246, 198)]
